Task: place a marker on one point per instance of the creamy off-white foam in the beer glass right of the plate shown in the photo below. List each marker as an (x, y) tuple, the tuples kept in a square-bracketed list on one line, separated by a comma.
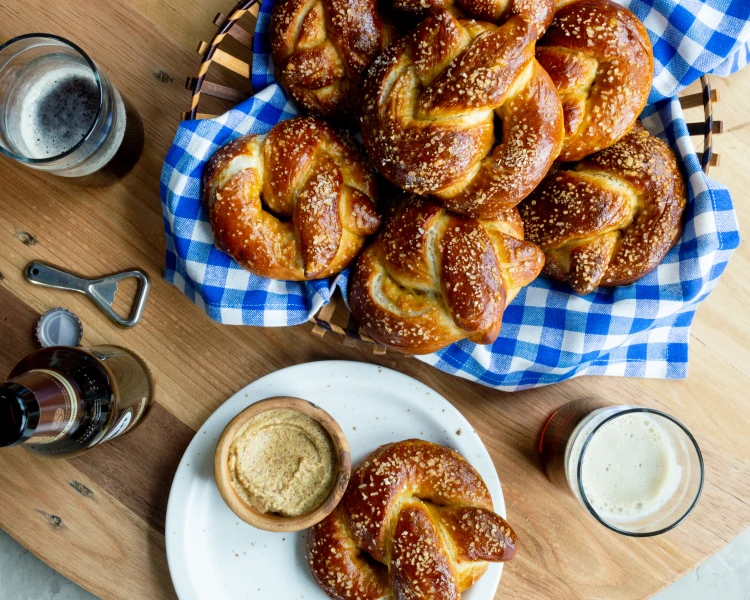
[(630, 469)]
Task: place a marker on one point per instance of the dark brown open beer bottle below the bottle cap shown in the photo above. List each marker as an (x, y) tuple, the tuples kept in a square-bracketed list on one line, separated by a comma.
[(61, 401)]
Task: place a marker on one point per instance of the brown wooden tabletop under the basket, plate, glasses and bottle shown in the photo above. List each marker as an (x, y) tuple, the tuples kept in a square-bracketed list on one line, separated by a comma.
[(99, 518)]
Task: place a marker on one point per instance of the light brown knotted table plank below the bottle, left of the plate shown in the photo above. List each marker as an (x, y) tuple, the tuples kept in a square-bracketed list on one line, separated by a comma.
[(90, 533)]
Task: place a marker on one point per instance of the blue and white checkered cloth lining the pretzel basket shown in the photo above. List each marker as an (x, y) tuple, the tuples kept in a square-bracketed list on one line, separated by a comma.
[(549, 334)]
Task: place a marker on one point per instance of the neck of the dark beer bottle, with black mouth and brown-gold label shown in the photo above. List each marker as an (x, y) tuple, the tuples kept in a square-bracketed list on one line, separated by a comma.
[(40, 406)]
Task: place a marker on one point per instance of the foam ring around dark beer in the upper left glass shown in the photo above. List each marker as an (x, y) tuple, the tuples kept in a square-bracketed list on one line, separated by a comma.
[(58, 110)]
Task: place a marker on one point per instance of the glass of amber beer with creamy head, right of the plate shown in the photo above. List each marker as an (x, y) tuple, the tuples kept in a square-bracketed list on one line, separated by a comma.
[(637, 470)]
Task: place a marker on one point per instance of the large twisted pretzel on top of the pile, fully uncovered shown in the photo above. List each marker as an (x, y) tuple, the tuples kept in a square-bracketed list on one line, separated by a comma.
[(431, 100)]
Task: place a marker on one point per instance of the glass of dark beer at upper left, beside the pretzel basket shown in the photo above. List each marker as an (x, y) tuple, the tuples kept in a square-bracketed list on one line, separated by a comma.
[(59, 113)]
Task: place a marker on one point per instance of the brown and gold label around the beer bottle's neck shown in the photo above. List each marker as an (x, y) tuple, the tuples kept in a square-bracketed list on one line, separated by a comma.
[(58, 401)]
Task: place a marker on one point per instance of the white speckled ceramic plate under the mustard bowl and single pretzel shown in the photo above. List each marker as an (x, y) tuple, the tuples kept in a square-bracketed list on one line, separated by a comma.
[(213, 555)]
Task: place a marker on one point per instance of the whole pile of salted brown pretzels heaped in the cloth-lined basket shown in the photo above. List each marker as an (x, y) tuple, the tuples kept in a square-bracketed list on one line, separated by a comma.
[(499, 141)]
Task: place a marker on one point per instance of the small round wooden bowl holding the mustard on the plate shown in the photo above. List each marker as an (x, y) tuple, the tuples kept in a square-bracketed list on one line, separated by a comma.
[(269, 521)]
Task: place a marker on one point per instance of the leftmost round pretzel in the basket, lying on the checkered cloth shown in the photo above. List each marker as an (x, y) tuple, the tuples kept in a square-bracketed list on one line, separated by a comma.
[(293, 204)]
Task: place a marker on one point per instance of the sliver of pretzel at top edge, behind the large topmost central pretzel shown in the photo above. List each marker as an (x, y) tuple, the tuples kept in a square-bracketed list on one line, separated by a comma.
[(539, 12)]
